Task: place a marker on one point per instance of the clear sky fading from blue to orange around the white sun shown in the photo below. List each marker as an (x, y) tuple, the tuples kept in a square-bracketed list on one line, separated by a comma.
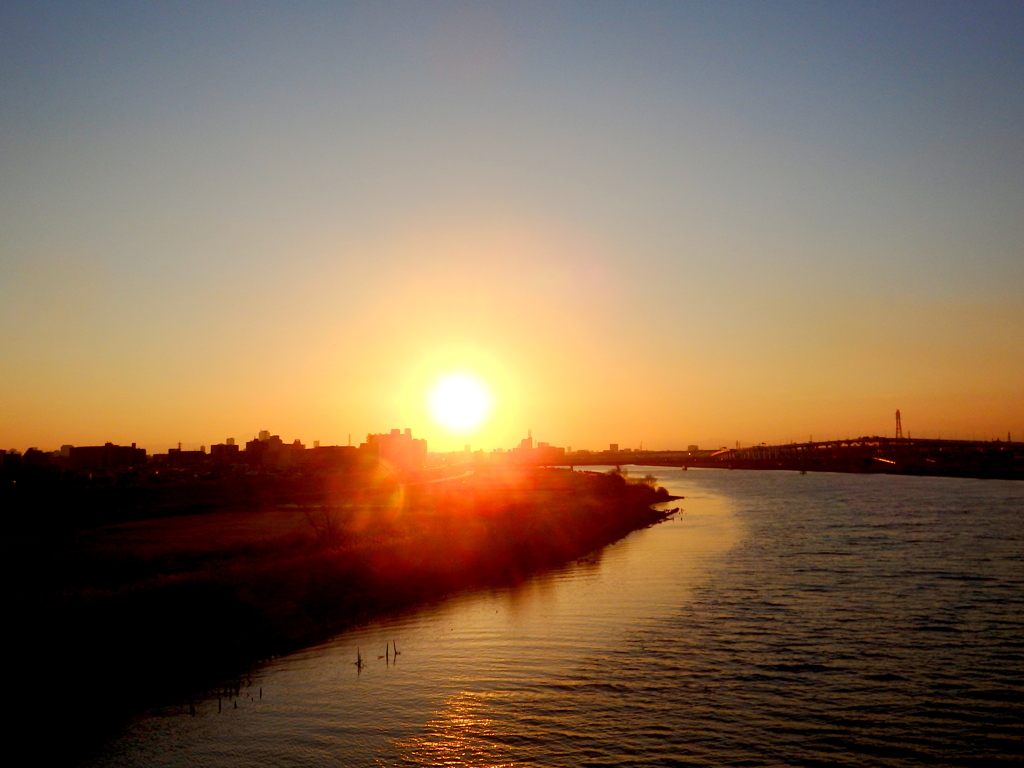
[(649, 224)]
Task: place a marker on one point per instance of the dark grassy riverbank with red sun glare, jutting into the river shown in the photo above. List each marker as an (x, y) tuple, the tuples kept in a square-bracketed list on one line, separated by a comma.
[(145, 613)]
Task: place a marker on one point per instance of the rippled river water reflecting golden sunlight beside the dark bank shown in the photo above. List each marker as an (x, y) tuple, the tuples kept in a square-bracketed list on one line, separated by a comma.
[(778, 619)]
